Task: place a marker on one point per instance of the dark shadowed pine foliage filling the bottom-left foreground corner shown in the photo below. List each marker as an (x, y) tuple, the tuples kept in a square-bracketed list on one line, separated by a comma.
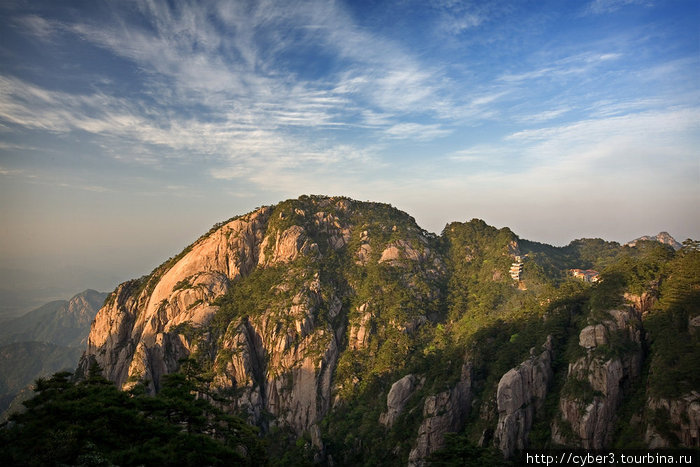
[(92, 423)]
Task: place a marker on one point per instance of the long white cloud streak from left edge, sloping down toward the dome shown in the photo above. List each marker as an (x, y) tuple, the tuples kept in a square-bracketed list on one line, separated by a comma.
[(235, 139)]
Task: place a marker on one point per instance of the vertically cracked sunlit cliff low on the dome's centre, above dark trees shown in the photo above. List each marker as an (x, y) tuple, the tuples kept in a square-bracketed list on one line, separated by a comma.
[(282, 364)]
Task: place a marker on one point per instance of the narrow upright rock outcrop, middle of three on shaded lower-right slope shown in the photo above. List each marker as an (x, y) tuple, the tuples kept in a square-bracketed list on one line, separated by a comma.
[(521, 393)]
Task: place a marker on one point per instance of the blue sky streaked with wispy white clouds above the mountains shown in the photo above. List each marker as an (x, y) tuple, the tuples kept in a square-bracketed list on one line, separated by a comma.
[(128, 128)]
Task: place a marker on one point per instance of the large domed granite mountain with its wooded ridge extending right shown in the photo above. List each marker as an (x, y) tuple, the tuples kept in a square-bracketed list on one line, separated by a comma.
[(349, 335)]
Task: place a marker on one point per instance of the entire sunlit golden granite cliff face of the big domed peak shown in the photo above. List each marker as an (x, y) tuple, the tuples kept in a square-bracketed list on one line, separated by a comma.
[(281, 358)]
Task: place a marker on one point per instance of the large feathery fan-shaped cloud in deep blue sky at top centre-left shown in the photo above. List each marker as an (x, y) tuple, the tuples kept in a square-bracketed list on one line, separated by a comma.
[(247, 64)]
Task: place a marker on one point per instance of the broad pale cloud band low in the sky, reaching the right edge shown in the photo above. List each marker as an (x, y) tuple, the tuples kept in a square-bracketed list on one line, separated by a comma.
[(659, 143)]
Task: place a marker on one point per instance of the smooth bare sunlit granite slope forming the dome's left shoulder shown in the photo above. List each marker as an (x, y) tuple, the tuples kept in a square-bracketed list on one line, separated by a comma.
[(128, 334)]
